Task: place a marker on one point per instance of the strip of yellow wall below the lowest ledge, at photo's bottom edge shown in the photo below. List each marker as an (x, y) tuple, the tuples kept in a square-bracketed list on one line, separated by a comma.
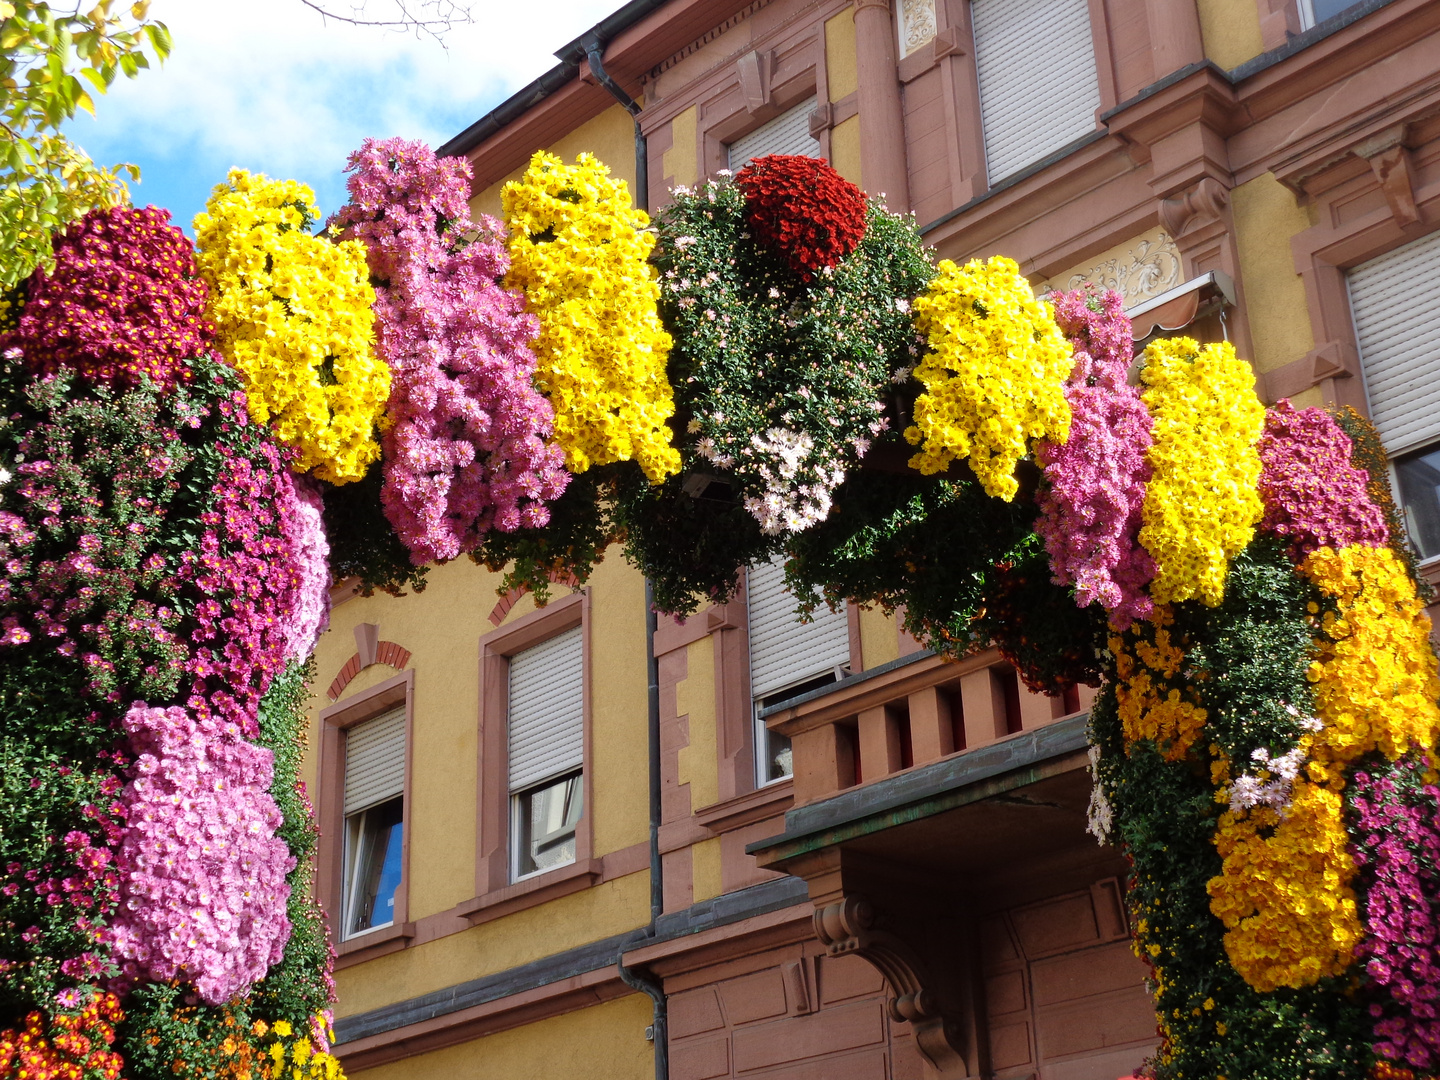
[(601, 1042)]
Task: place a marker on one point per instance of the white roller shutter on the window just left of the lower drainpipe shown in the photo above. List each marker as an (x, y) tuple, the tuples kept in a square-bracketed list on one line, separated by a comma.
[(546, 711)]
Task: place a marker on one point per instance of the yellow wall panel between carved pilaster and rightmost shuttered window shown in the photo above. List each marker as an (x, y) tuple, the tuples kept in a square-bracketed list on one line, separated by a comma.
[(1266, 217)]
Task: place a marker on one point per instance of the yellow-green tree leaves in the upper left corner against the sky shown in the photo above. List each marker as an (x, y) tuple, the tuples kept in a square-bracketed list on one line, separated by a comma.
[(50, 63)]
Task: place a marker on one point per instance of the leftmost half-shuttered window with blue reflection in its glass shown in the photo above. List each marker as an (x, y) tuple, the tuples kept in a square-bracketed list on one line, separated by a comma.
[(375, 823)]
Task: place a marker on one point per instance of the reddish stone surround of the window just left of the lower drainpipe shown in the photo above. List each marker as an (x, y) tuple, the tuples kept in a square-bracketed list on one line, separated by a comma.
[(496, 895)]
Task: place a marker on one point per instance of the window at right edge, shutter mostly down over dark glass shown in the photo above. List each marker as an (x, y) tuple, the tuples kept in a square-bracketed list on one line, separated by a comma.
[(1398, 325)]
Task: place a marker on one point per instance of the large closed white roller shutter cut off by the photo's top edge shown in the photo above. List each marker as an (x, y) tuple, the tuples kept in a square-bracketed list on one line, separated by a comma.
[(1039, 84)]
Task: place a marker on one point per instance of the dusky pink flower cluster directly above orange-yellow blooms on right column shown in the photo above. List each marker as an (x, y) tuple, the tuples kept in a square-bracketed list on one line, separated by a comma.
[(1313, 495)]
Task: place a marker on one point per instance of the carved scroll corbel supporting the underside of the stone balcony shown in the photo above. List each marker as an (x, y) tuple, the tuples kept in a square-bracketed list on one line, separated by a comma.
[(853, 927)]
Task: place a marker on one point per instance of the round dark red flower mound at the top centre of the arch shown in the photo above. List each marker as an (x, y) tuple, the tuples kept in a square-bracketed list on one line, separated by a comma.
[(803, 210)]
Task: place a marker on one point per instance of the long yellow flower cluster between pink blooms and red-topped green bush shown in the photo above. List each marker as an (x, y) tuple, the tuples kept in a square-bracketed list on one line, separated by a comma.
[(578, 253)]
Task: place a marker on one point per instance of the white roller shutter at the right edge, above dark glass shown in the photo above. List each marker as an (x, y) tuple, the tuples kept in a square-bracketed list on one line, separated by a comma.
[(1398, 323)]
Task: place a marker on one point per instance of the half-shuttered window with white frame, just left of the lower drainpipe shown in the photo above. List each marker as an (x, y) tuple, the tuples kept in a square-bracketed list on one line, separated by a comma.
[(546, 752)]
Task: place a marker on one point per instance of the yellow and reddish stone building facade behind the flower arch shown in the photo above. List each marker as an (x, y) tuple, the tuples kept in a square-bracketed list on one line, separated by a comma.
[(872, 863)]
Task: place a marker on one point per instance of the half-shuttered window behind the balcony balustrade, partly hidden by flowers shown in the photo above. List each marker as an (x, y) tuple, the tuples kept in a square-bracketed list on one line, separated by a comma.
[(787, 659)]
